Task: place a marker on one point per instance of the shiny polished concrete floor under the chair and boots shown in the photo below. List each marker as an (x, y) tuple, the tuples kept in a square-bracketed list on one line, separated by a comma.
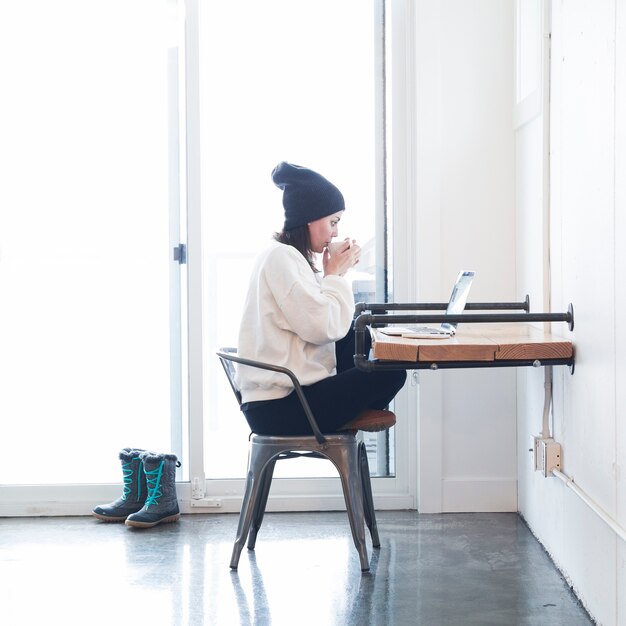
[(453, 569)]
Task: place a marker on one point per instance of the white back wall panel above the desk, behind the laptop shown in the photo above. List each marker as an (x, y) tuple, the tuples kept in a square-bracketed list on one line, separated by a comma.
[(477, 149)]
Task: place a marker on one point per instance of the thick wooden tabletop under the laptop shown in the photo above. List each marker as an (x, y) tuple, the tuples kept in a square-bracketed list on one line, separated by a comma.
[(475, 342)]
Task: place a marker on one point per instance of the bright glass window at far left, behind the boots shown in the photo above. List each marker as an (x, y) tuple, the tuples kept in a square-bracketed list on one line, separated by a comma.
[(85, 251)]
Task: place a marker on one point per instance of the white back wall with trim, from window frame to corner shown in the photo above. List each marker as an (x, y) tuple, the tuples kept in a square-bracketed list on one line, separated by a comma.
[(465, 219)]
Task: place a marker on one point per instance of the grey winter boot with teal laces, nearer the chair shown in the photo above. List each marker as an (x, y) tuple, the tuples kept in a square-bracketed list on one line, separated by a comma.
[(161, 504)]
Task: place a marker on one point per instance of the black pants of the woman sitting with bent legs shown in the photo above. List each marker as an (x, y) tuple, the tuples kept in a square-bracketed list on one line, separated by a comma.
[(335, 401)]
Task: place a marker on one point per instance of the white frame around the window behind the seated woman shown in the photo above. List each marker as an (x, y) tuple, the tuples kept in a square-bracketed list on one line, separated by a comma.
[(305, 494)]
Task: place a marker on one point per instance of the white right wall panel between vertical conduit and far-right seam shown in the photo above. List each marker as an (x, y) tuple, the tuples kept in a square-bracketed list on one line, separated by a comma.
[(583, 163)]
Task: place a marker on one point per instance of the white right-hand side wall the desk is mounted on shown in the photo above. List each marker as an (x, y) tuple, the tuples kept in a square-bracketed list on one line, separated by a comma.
[(588, 263)]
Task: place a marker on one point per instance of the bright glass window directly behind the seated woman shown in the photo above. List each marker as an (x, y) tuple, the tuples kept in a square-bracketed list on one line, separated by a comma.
[(293, 81)]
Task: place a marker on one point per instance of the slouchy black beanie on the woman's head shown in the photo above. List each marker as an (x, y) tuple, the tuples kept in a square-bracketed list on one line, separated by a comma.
[(307, 196)]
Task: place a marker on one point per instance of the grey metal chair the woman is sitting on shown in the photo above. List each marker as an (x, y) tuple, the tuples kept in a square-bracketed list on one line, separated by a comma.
[(342, 449)]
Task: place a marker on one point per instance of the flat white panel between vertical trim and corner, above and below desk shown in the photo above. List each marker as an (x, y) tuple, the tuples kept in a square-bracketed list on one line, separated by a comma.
[(478, 232)]
